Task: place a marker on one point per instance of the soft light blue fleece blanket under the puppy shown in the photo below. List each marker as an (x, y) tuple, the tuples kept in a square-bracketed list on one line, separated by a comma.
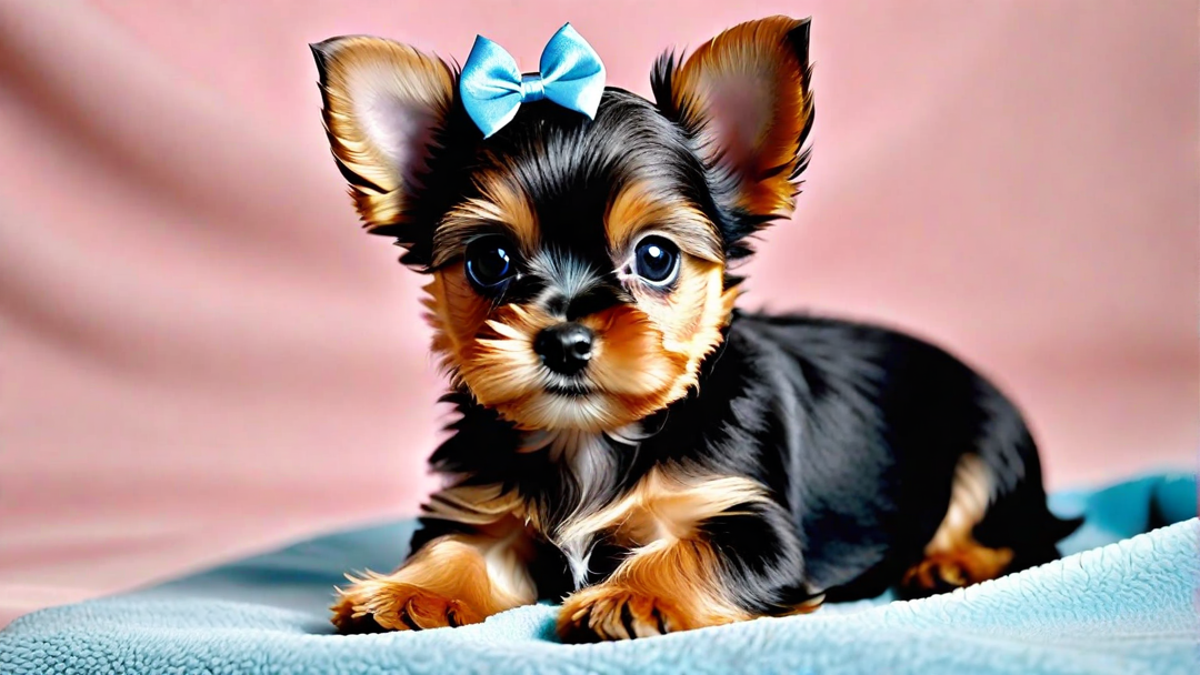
[(1124, 604)]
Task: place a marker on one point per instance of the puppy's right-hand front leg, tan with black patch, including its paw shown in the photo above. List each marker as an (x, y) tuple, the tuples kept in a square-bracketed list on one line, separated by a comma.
[(705, 554)]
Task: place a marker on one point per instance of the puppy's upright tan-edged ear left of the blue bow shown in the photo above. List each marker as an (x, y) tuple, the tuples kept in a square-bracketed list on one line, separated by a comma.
[(385, 104)]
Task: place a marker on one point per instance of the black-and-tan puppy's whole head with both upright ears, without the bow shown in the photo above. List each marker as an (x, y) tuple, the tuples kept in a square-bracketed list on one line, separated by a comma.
[(579, 267)]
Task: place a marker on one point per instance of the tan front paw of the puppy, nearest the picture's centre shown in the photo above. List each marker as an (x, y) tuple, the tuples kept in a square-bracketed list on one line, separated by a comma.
[(616, 613)]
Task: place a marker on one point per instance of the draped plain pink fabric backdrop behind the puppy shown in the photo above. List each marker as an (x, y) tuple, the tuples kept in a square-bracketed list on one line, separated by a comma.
[(202, 355)]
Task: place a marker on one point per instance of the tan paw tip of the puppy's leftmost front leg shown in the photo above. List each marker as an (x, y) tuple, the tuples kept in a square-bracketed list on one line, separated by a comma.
[(380, 604)]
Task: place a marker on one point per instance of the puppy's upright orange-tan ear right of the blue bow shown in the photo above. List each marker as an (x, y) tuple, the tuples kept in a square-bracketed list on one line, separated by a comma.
[(745, 97)]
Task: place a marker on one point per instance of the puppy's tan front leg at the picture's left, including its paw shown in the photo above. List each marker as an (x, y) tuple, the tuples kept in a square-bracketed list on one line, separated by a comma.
[(461, 575)]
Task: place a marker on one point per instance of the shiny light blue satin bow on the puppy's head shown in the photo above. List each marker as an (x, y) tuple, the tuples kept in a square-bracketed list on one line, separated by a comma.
[(493, 87)]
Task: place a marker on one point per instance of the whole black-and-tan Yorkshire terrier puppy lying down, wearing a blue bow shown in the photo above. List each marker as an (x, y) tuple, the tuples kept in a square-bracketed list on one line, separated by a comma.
[(627, 438)]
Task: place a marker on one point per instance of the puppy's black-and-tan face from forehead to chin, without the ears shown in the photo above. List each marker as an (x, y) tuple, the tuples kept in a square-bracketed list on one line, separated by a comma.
[(579, 282)]
